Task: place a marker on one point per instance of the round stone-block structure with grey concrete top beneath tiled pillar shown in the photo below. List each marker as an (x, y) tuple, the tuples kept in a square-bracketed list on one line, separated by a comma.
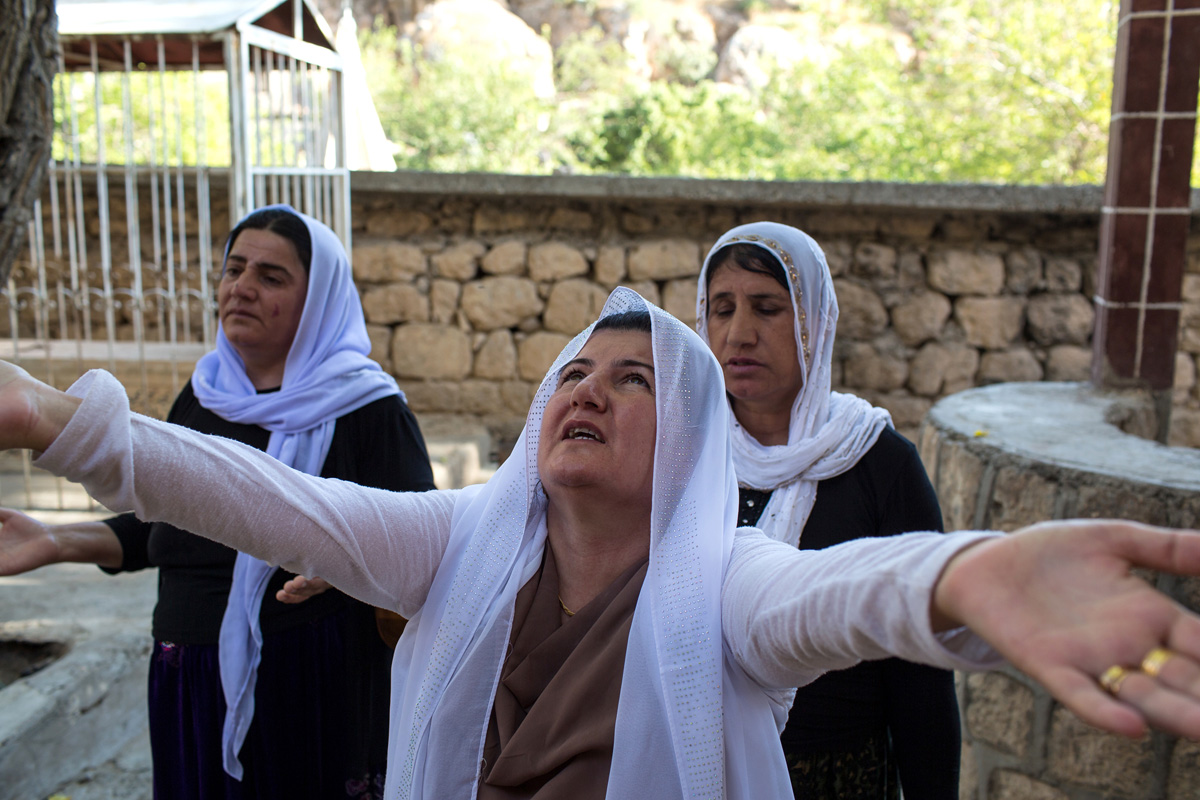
[(1007, 456)]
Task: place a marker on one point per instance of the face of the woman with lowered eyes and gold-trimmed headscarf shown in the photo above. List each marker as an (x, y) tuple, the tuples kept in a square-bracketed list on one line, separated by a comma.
[(752, 333)]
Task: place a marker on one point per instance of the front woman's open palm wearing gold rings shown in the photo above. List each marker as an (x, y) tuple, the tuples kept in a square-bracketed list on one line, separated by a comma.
[(1060, 603)]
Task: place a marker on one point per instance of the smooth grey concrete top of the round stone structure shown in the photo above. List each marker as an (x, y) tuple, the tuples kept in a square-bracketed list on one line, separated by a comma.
[(1066, 425)]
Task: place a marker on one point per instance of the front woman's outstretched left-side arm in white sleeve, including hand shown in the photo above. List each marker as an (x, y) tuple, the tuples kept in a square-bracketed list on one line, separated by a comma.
[(382, 548)]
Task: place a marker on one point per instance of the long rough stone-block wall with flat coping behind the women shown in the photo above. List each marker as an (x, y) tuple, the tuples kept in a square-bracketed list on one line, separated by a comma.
[(472, 284)]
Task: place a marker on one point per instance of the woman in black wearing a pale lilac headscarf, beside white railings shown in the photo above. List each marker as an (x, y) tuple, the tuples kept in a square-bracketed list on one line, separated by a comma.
[(251, 694)]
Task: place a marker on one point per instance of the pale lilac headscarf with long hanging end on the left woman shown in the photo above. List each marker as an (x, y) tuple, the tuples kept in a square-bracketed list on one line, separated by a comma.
[(328, 375)]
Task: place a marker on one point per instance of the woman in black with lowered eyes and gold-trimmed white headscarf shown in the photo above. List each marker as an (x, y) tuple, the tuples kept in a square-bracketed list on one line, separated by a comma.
[(818, 468)]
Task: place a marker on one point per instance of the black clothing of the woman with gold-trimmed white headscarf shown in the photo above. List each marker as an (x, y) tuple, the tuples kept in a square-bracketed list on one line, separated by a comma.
[(854, 733)]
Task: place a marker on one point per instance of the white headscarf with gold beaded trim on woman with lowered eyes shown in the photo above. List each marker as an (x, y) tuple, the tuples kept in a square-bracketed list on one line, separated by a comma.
[(830, 431)]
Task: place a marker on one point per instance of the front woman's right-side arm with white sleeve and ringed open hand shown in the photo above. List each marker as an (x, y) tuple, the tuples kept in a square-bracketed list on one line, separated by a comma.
[(1058, 600)]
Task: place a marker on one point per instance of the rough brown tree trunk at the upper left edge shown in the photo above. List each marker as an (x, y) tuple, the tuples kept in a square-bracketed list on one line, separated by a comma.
[(28, 61)]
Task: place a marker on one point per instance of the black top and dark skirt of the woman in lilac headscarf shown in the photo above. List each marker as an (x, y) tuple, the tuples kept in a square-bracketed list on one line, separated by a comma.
[(322, 695)]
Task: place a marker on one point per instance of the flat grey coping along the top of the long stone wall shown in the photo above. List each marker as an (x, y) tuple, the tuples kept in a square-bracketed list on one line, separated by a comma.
[(859, 195)]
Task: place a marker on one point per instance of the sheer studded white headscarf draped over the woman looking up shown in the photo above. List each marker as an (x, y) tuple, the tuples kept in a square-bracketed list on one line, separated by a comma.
[(683, 705)]
